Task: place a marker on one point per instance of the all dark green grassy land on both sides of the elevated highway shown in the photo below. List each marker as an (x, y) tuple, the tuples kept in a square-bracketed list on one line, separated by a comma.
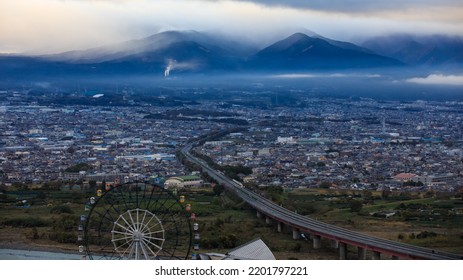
[(49, 220)]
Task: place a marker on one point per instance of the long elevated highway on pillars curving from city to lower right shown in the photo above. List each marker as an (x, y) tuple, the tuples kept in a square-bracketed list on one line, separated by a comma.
[(301, 224)]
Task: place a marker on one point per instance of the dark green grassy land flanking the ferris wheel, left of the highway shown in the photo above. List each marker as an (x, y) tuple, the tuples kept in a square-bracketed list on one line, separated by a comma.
[(50, 223)]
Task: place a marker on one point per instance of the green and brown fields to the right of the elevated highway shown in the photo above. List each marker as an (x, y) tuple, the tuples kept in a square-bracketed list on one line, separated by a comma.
[(435, 222)]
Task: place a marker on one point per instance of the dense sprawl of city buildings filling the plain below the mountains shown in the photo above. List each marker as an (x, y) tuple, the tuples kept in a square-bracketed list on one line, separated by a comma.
[(328, 142)]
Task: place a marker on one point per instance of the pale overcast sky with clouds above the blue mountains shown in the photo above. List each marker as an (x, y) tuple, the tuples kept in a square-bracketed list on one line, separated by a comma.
[(48, 26)]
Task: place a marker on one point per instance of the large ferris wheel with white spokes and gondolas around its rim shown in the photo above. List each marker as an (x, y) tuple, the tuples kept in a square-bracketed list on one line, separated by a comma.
[(136, 221)]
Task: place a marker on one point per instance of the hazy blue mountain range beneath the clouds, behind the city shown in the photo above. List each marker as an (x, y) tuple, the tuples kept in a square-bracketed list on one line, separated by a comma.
[(195, 52)]
